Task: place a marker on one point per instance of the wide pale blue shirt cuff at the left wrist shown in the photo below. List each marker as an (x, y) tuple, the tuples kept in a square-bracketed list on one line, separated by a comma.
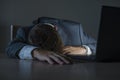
[(25, 52)]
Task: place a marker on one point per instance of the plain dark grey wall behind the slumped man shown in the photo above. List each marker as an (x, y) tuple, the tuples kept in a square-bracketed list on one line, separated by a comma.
[(23, 12)]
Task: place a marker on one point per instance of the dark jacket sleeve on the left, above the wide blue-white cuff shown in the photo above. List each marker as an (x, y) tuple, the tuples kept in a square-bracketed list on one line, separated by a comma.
[(17, 44)]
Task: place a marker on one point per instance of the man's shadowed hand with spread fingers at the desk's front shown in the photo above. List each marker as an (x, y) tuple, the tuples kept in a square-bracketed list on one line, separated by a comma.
[(49, 56)]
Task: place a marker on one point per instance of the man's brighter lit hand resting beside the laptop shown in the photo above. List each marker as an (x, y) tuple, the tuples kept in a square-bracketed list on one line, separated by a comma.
[(70, 50)]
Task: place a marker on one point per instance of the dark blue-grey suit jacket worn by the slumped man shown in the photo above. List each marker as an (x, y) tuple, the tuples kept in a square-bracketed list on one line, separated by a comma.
[(71, 33)]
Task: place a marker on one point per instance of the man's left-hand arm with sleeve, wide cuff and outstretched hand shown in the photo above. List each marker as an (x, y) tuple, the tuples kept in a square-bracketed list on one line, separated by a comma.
[(19, 48)]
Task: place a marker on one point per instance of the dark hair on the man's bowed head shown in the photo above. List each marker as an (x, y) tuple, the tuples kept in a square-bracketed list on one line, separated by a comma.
[(45, 37)]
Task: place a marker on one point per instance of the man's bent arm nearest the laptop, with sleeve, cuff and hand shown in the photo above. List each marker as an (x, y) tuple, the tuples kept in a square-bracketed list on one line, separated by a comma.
[(87, 47)]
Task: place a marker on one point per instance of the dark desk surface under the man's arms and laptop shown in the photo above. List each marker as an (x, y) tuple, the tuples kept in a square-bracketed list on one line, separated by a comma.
[(15, 69)]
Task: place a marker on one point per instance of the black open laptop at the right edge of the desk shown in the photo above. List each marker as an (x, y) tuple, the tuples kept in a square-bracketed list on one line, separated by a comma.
[(108, 42)]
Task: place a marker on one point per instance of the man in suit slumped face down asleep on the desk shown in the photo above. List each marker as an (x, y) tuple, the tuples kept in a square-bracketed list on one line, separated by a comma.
[(49, 39)]
